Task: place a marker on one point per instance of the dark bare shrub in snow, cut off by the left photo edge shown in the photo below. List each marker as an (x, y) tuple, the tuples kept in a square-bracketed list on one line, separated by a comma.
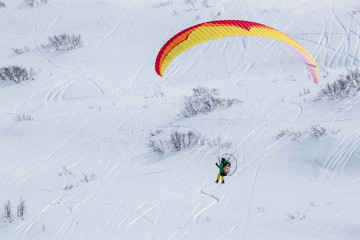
[(16, 74)]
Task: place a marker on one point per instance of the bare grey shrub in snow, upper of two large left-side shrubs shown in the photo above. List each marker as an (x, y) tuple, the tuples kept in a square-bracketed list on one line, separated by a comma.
[(64, 42)]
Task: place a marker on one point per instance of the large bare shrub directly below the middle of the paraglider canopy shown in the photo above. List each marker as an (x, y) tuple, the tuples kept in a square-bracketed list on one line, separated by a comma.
[(204, 100)]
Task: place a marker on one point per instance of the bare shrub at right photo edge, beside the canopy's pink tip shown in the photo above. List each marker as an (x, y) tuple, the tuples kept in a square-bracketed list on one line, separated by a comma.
[(344, 87)]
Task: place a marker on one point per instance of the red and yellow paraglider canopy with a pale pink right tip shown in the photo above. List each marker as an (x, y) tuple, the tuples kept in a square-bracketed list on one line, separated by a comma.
[(207, 31)]
